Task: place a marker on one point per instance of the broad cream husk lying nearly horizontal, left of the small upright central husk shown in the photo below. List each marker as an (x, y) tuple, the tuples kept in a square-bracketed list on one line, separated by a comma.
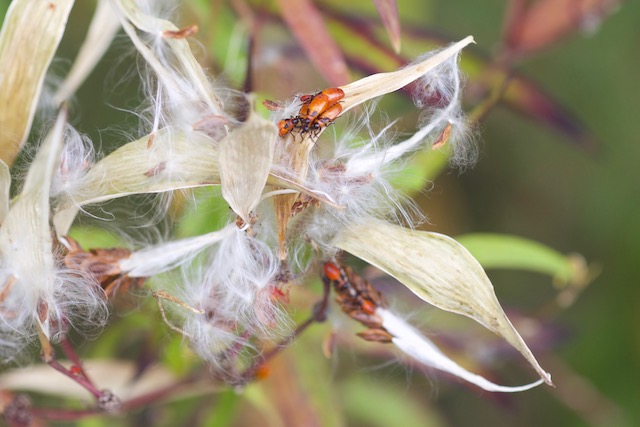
[(135, 168)]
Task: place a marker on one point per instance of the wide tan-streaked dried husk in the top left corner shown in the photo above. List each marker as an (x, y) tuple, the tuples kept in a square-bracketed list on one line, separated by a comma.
[(30, 36)]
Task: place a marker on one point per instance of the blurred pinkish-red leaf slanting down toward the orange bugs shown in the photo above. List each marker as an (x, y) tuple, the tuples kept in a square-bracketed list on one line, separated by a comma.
[(307, 24)]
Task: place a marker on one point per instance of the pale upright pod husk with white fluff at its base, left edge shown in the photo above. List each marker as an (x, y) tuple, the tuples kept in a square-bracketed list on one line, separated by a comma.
[(36, 295)]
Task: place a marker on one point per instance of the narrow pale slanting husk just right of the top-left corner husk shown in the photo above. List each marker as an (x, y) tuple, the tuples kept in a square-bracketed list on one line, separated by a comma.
[(102, 30)]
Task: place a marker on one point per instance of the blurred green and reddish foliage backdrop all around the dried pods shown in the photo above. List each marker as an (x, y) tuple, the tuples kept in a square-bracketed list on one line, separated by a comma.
[(558, 120)]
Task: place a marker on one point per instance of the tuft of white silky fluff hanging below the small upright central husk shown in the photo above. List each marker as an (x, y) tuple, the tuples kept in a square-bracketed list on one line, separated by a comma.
[(232, 291)]
